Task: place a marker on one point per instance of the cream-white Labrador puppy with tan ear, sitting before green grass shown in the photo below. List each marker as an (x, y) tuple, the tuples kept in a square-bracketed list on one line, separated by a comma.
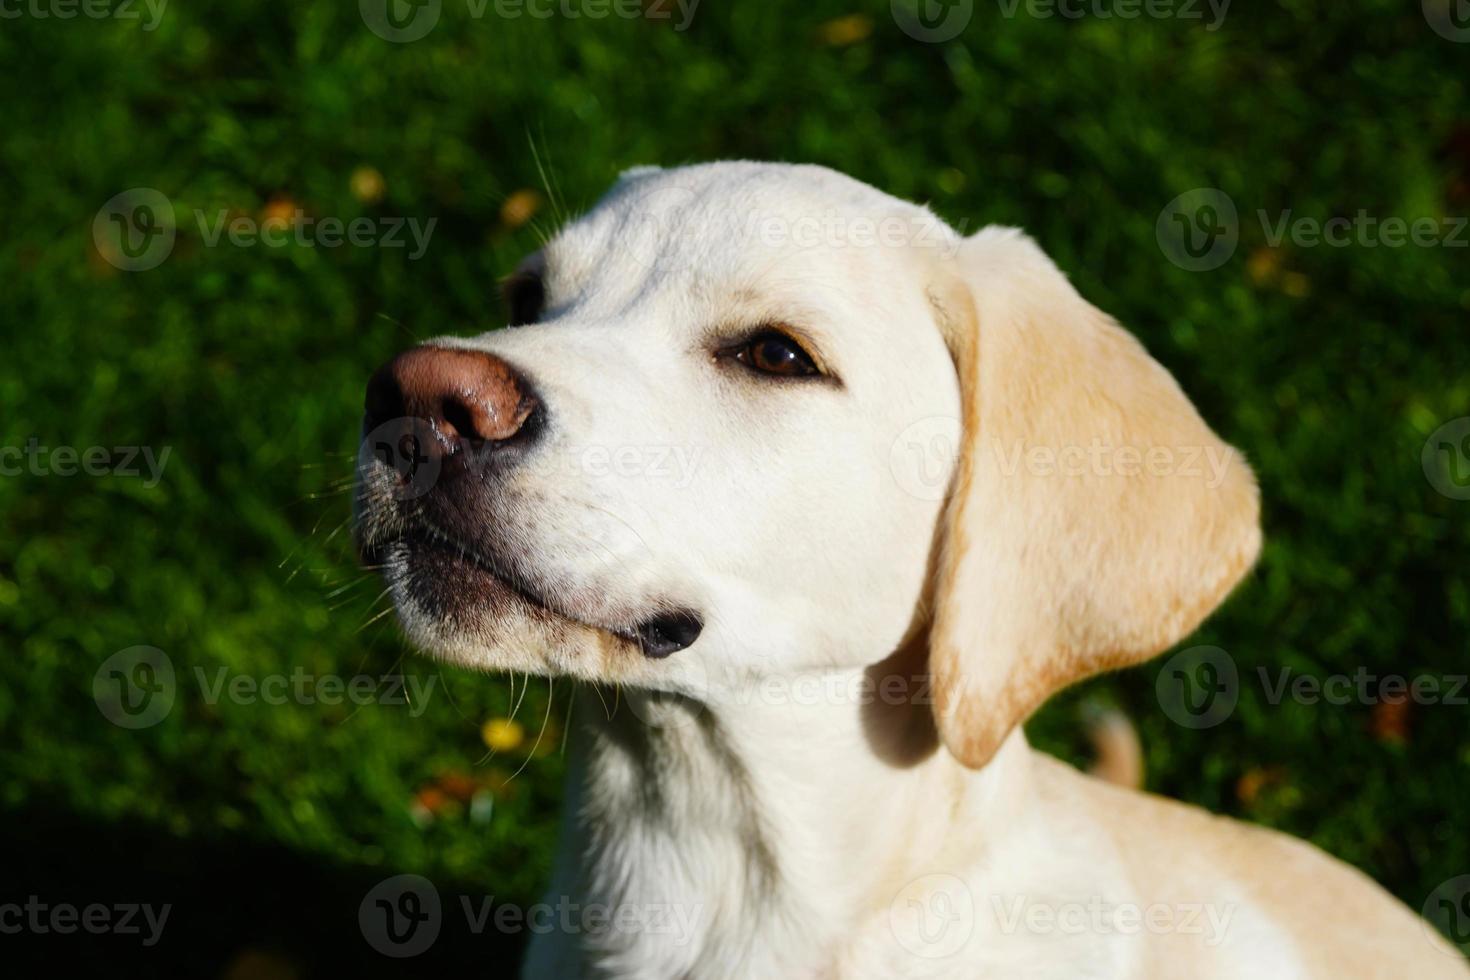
[(821, 499)]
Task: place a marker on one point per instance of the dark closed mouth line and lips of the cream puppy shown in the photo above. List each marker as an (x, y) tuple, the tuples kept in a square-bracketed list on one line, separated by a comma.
[(453, 581)]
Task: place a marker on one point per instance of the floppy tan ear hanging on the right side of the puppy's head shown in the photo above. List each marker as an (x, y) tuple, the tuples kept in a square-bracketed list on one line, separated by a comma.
[(1094, 518)]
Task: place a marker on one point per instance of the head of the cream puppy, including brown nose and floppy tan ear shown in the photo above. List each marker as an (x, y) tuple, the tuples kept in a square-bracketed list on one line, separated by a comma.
[(756, 421)]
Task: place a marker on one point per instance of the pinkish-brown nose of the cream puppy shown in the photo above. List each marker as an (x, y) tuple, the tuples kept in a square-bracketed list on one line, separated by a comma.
[(465, 397)]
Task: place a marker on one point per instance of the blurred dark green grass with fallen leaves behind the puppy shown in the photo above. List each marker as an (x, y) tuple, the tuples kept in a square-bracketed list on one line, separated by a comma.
[(265, 825)]
